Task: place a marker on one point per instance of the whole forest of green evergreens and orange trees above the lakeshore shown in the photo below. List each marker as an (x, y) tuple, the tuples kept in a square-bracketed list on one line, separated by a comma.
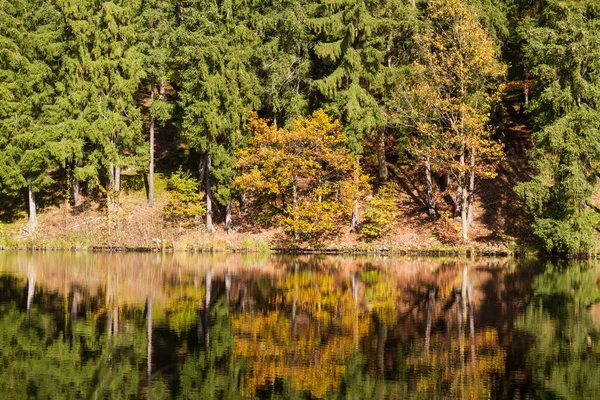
[(319, 119)]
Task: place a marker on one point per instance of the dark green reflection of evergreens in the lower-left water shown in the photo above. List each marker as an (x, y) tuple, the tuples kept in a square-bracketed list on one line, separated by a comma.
[(38, 360)]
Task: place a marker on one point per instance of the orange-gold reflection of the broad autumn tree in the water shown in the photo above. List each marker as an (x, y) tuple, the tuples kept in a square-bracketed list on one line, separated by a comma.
[(312, 349)]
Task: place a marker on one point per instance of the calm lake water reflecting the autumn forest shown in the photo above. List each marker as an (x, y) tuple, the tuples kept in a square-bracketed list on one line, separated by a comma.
[(85, 325)]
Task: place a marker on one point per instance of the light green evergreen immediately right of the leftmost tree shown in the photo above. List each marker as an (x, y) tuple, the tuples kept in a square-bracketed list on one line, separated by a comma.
[(102, 72)]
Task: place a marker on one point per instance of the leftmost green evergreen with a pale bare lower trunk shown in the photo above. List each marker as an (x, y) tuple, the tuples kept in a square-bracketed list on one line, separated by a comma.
[(28, 57)]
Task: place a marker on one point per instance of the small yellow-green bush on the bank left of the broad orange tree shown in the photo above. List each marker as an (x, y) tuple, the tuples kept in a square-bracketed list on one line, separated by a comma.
[(185, 207)]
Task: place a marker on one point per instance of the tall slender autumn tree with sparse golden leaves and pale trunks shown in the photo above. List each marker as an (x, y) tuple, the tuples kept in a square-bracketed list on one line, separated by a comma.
[(456, 79)]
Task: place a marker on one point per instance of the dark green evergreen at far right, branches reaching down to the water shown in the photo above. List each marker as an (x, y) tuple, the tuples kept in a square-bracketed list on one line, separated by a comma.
[(562, 53)]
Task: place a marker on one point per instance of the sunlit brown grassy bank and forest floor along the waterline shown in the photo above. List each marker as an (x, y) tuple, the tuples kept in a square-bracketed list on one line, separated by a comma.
[(500, 225)]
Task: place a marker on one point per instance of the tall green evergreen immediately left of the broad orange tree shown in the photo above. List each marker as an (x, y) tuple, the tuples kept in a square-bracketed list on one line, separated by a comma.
[(218, 89)]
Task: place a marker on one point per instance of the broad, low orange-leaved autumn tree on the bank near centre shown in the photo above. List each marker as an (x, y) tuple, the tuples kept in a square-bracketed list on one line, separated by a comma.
[(305, 172)]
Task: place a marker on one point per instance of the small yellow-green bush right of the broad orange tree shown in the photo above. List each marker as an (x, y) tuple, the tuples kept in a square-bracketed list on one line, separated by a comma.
[(381, 213)]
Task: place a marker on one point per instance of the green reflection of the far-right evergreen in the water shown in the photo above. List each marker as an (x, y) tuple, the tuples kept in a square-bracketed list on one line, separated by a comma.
[(565, 357)]
